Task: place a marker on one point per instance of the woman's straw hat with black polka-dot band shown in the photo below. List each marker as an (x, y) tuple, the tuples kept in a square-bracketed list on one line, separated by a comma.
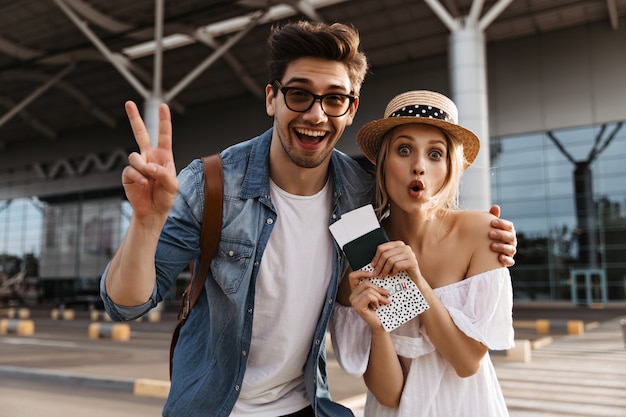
[(420, 106)]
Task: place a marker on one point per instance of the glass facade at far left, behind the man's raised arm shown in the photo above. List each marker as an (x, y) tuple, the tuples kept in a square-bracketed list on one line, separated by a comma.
[(58, 248)]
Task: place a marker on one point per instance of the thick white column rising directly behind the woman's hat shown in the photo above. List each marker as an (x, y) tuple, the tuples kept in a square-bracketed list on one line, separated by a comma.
[(468, 78)]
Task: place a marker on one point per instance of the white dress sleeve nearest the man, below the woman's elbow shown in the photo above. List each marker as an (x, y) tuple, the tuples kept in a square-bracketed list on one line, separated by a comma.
[(351, 337)]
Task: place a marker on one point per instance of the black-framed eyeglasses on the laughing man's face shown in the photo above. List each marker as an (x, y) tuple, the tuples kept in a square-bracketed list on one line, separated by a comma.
[(301, 101)]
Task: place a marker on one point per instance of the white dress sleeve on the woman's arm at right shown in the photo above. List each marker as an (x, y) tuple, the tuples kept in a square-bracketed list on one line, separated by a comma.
[(481, 307)]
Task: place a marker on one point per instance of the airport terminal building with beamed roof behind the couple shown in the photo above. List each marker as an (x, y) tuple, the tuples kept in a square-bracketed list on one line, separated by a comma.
[(542, 83)]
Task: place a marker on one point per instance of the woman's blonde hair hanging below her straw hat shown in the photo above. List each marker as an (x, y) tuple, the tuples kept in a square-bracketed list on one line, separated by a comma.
[(447, 198)]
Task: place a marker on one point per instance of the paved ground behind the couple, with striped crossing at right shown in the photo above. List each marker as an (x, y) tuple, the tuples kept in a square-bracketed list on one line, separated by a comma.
[(585, 365)]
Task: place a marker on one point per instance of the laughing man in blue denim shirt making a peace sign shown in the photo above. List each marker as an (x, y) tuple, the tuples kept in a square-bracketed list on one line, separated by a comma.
[(254, 342)]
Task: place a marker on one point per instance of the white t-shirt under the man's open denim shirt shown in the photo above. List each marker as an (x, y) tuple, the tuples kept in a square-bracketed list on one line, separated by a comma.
[(290, 293)]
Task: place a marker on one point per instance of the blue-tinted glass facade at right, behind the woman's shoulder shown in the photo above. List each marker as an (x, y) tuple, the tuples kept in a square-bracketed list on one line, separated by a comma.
[(565, 192)]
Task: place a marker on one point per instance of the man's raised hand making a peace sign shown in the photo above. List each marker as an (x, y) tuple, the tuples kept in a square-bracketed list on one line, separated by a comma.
[(150, 180)]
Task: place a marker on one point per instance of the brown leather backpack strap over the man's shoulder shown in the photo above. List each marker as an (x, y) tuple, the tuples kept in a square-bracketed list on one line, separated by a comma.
[(209, 240)]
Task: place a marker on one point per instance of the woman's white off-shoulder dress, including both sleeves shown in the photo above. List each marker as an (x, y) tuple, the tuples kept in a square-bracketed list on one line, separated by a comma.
[(481, 307)]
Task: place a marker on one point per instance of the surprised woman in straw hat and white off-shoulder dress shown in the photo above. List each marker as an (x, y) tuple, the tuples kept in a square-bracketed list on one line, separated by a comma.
[(436, 364)]
